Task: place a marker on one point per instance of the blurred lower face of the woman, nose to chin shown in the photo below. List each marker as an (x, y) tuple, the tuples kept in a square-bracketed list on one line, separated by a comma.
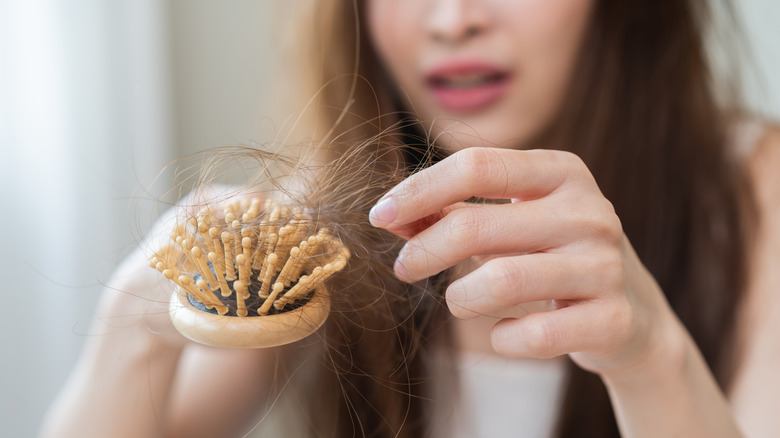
[(485, 72)]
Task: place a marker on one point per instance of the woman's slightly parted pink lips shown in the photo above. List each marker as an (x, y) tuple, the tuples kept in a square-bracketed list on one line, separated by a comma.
[(467, 87)]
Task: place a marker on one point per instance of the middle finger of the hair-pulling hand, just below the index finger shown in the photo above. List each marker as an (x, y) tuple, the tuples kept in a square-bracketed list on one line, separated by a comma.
[(526, 227)]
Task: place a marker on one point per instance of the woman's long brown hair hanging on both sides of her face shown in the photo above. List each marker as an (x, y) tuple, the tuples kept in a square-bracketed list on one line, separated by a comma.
[(643, 114)]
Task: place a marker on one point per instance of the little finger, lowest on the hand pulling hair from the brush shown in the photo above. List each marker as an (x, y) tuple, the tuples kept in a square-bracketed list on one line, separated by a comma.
[(593, 327)]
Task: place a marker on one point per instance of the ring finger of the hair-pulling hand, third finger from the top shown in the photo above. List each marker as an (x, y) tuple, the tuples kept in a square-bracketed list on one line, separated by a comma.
[(505, 282)]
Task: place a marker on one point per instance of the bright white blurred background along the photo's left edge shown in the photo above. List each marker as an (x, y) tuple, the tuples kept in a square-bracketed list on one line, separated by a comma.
[(84, 124)]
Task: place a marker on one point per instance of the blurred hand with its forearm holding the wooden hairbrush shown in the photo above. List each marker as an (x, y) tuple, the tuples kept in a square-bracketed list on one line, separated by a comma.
[(123, 384)]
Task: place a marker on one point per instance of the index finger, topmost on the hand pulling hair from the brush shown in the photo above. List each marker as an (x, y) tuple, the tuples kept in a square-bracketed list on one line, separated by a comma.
[(483, 172)]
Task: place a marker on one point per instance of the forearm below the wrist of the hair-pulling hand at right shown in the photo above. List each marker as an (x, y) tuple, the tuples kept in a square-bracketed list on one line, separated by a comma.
[(671, 394)]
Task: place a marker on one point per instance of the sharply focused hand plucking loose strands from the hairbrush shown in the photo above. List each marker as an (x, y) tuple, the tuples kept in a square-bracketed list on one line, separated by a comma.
[(559, 239)]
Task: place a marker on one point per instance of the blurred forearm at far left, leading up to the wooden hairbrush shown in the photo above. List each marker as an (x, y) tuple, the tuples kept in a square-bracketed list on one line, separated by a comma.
[(121, 383)]
